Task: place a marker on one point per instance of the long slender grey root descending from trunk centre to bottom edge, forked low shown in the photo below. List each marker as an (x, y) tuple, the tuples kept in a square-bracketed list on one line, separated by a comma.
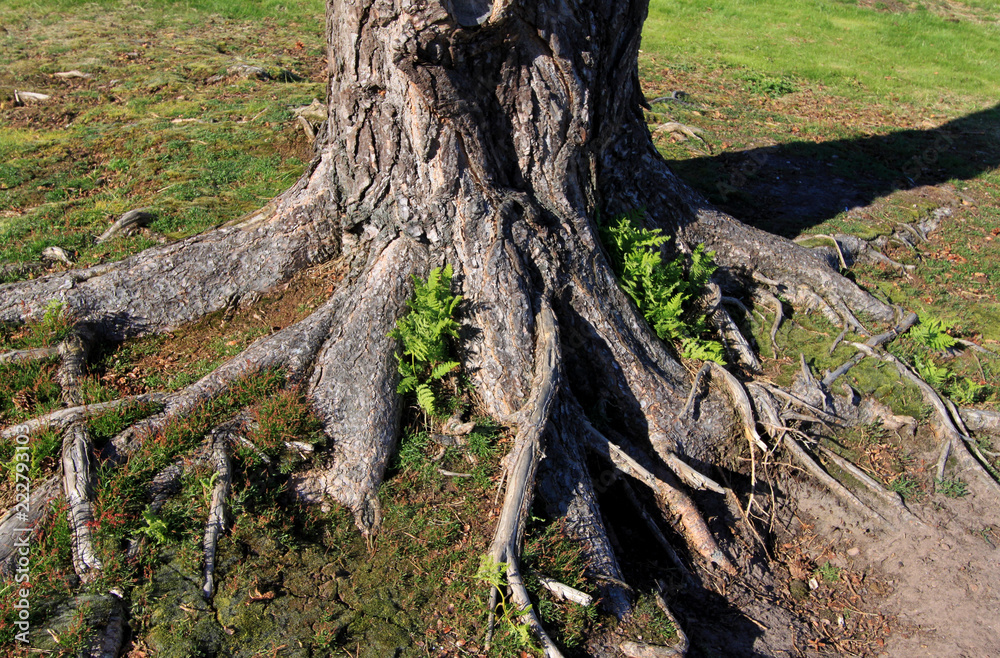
[(523, 463)]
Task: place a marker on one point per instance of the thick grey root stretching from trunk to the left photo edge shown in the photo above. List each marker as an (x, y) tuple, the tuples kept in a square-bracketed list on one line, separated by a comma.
[(167, 286)]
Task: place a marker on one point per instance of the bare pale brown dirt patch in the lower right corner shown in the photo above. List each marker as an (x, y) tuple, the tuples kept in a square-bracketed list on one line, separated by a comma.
[(943, 575)]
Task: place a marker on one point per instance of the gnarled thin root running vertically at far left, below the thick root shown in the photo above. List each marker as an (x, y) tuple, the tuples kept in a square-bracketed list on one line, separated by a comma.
[(76, 461)]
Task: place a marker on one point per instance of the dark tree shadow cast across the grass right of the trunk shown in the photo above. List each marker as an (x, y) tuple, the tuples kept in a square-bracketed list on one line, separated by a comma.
[(788, 188)]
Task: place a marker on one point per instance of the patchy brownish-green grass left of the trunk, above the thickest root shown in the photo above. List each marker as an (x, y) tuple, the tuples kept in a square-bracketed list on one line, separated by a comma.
[(148, 129)]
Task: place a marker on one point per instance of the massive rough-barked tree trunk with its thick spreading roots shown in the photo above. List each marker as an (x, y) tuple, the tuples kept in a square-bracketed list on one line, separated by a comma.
[(485, 135)]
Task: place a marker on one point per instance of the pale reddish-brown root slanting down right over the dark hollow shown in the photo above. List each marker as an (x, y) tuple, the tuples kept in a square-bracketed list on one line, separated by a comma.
[(695, 531)]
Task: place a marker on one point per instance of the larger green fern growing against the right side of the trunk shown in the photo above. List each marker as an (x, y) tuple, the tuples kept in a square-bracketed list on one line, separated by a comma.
[(662, 290)]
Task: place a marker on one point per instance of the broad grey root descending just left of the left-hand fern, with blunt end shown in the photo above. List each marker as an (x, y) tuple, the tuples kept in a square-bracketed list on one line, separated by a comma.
[(354, 386)]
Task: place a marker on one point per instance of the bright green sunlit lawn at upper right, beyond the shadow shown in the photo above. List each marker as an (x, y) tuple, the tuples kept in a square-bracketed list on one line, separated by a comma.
[(917, 54)]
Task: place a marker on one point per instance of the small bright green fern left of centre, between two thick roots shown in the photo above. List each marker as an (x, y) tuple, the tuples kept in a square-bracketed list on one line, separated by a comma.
[(425, 334)]
